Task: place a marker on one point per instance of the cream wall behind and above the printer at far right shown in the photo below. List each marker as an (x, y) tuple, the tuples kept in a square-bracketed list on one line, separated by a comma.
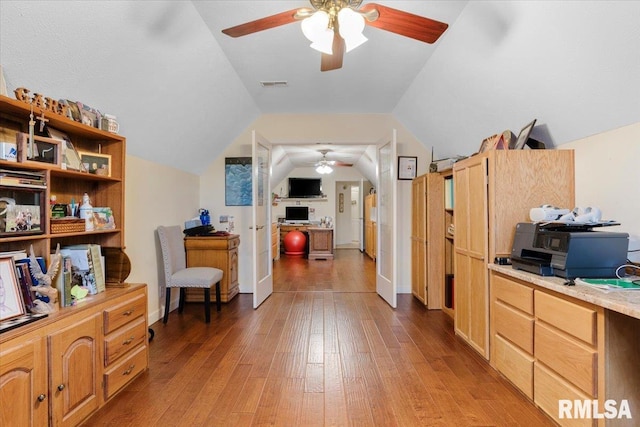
[(608, 175)]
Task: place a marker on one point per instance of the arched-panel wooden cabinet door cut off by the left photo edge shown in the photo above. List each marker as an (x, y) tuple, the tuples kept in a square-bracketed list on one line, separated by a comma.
[(23, 384)]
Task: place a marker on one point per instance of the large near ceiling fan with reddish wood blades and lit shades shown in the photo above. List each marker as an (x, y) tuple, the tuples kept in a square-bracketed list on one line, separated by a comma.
[(335, 26)]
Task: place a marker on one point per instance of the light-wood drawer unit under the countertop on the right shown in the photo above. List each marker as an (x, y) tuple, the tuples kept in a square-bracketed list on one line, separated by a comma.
[(548, 345)]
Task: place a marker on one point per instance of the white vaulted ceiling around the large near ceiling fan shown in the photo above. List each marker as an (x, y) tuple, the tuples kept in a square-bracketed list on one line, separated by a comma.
[(183, 91)]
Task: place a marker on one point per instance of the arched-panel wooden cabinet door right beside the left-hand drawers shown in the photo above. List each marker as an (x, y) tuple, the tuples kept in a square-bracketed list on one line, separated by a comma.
[(74, 371)]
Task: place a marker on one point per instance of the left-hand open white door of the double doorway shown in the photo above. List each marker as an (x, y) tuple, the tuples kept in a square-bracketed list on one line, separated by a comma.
[(261, 225)]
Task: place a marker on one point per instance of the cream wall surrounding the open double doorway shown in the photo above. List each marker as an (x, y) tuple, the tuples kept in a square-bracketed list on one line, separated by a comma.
[(336, 128)]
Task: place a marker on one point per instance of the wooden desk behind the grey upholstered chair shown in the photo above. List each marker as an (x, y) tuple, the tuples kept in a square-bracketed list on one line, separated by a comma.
[(219, 252)]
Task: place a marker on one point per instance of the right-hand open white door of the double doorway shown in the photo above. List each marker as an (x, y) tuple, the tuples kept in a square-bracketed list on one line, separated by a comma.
[(386, 265)]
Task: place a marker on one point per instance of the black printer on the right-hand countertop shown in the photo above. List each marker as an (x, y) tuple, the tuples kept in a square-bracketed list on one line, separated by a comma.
[(568, 250)]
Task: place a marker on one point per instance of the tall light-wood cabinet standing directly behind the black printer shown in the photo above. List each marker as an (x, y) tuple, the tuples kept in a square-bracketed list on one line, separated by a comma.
[(493, 192)]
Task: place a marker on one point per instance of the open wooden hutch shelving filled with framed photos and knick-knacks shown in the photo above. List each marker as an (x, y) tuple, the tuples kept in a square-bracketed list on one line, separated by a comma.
[(104, 191)]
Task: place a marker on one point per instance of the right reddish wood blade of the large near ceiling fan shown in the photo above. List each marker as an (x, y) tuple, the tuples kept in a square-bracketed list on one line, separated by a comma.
[(404, 23)]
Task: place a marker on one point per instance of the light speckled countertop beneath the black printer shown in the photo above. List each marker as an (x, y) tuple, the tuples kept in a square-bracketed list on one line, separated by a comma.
[(625, 302)]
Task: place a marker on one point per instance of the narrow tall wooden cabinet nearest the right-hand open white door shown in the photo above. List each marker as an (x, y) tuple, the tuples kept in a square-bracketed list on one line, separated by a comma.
[(427, 239)]
